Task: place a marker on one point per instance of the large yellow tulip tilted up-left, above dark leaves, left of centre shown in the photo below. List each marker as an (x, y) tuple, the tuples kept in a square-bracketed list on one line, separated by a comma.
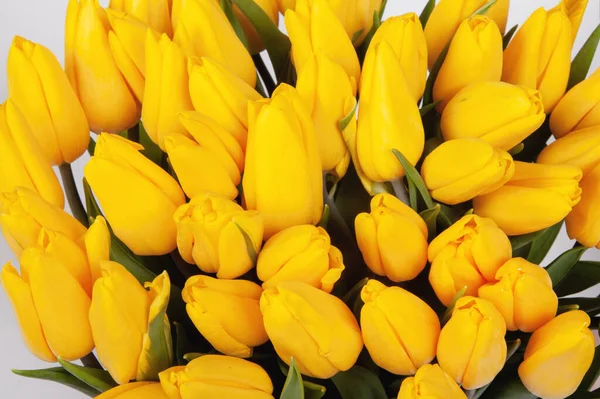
[(137, 196)]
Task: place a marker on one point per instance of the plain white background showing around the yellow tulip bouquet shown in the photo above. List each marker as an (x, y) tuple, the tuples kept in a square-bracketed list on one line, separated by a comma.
[(42, 21)]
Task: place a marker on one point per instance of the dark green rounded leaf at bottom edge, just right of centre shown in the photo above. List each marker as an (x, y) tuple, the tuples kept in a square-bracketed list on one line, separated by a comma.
[(359, 383)]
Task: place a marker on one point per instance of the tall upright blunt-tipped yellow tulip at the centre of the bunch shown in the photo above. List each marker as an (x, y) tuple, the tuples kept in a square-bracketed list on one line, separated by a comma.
[(282, 178)]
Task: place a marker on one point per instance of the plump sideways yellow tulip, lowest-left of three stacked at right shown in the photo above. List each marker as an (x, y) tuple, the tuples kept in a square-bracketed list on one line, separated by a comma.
[(460, 170)]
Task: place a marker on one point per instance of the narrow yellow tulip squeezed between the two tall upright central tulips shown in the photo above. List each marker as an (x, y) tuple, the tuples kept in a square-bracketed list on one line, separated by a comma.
[(326, 90)]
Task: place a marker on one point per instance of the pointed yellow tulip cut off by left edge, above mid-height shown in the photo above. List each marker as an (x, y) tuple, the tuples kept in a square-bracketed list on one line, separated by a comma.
[(23, 162)]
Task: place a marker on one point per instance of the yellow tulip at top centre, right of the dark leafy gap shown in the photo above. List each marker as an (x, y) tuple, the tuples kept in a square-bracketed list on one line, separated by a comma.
[(313, 29)]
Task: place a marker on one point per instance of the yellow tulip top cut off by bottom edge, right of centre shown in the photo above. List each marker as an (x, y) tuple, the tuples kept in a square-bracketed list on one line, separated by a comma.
[(430, 382)]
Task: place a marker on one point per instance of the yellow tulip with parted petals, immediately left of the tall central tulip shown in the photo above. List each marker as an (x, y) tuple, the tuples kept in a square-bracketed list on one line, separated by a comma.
[(212, 150)]
